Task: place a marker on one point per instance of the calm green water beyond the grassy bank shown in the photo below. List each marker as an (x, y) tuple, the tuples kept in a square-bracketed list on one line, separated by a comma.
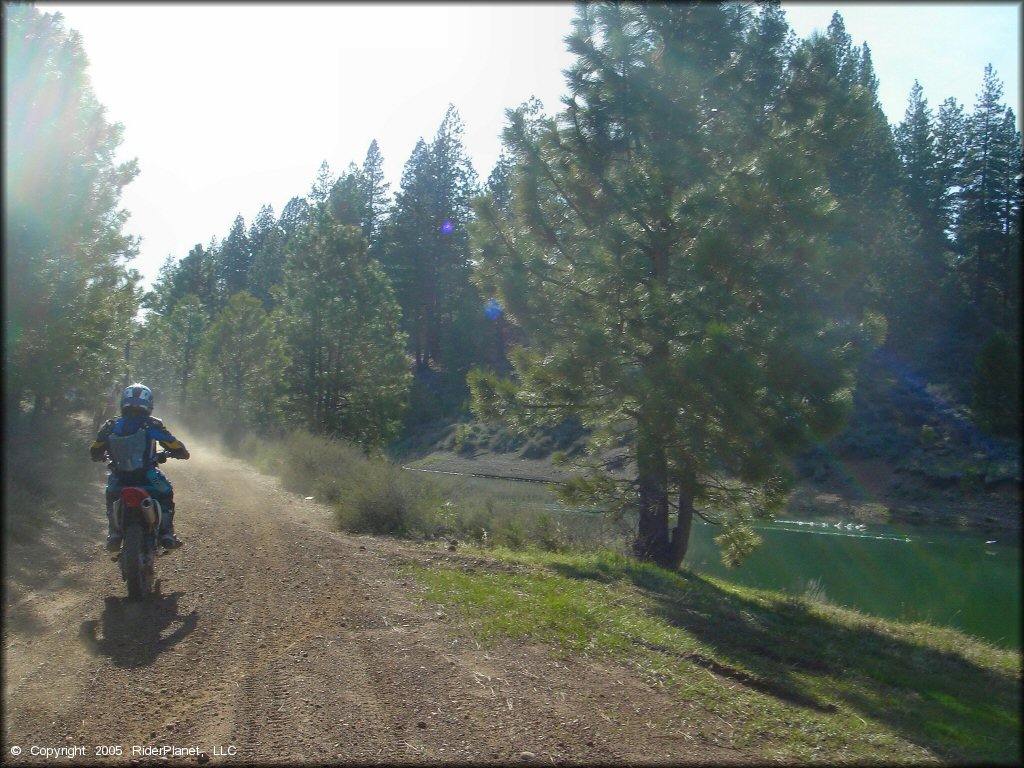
[(944, 577)]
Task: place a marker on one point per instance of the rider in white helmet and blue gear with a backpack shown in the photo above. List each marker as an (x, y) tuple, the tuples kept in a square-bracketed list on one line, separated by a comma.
[(131, 444)]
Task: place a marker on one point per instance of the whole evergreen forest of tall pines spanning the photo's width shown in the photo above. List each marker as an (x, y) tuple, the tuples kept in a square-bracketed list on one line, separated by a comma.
[(716, 259)]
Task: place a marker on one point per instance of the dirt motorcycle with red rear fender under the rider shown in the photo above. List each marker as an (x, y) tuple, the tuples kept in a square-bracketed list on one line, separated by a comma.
[(138, 519)]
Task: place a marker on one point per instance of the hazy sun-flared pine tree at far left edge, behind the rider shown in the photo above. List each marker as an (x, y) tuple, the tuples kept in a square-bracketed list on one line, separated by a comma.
[(69, 296)]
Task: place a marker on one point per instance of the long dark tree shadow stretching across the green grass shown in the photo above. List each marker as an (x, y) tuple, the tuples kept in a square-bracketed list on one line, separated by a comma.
[(940, 701)]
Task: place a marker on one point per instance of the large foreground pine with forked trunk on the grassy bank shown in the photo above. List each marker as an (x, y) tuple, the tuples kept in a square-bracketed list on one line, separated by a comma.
[(680, 286)]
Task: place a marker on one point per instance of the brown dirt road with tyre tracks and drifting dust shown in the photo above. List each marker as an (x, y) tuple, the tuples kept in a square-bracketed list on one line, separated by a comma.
[(275, 639)]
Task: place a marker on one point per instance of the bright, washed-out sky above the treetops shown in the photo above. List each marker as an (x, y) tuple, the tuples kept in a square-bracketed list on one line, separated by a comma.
[(229, 108)]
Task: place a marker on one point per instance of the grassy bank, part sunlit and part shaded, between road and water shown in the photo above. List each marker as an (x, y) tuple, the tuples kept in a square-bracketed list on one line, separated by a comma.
[(798, 680)]
